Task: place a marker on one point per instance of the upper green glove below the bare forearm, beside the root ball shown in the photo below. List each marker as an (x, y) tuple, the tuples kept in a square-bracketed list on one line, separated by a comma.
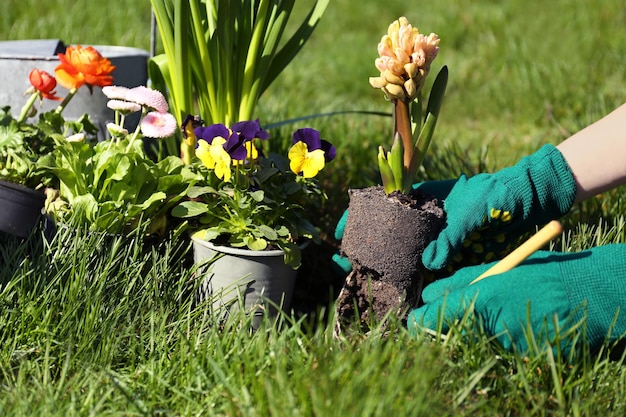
[(487, 214)]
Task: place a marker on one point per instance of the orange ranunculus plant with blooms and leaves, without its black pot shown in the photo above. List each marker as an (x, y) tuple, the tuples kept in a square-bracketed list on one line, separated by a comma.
[(23, 142)]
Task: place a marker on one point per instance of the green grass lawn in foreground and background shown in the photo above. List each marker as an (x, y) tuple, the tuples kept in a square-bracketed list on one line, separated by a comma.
[(95, 327)]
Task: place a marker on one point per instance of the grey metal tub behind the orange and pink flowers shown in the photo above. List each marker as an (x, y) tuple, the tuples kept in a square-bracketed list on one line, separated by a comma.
[(18, 58)]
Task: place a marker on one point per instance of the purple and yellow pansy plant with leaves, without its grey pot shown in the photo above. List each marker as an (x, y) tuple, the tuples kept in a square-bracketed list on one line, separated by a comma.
[(250, 198)]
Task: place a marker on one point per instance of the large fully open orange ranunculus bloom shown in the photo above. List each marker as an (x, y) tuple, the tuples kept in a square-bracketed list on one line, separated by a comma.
[(81, 66)]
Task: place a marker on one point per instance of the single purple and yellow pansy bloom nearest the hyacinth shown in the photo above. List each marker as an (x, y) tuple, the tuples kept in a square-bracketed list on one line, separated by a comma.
[(310, 152)]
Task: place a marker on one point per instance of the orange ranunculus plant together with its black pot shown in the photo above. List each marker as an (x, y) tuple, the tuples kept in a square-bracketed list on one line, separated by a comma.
[(23, 143)]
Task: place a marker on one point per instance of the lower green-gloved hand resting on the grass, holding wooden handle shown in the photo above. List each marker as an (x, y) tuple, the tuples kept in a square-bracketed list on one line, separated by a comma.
[(568, 285)]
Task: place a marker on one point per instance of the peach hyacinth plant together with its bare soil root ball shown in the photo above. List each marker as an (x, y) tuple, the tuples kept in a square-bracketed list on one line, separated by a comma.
[(389, 226)]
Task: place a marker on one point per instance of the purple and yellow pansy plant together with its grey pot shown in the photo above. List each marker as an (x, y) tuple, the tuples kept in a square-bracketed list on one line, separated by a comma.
[(250, 213)]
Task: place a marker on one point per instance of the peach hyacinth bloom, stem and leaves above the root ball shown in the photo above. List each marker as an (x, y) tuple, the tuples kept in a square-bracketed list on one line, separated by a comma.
[(405, 58)]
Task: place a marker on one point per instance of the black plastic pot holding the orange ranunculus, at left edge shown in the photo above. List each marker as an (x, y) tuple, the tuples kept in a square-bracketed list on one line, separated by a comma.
[(20, 208)]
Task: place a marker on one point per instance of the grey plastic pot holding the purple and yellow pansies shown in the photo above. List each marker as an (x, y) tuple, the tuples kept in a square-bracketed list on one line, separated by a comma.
[(231, 277)]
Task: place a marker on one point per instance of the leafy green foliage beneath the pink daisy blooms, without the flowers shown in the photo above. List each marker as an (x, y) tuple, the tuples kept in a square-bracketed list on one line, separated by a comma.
[(111, 187)]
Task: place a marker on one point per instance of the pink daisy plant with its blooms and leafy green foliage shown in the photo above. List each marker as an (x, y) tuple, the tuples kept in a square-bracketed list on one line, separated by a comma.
[(113, 186)]
